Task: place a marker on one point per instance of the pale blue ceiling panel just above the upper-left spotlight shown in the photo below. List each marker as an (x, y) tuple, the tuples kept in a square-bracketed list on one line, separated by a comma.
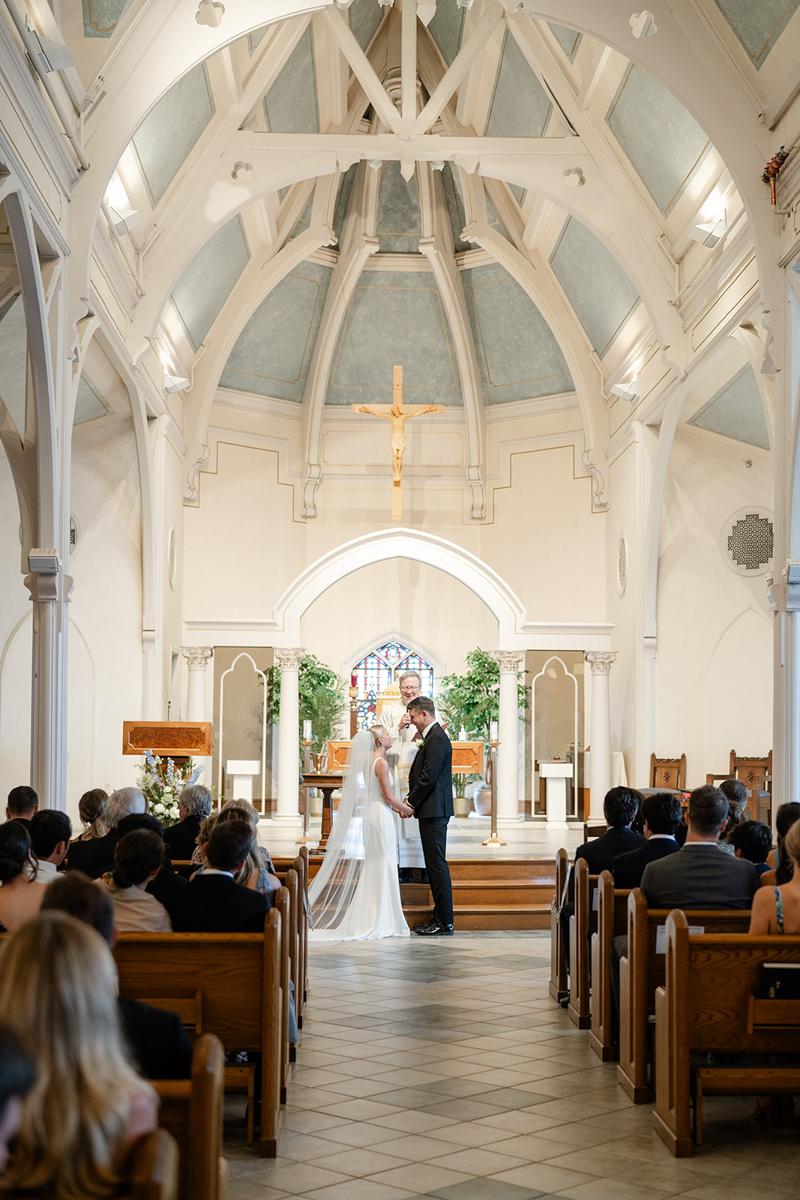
[(166, 137)]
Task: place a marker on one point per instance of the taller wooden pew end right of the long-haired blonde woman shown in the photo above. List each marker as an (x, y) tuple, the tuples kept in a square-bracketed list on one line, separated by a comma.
[(191, 1111)]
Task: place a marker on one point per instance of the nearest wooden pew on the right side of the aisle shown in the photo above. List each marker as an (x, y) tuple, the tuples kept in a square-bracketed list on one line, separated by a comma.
[(708, 1004)]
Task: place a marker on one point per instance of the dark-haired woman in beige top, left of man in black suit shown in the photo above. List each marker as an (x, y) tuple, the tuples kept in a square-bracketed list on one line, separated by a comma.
[(137, 861)]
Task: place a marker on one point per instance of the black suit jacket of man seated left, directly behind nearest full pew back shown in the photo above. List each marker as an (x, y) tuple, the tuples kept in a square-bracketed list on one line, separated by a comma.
[(216, 904)]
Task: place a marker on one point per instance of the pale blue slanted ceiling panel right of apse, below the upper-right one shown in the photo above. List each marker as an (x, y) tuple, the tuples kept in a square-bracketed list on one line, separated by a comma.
[(598, 289)]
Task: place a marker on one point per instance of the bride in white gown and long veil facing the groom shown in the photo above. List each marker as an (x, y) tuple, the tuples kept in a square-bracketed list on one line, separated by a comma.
[(356, 895)]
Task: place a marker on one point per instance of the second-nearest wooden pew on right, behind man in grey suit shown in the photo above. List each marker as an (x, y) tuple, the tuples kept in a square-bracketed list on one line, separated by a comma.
[(642, 973)]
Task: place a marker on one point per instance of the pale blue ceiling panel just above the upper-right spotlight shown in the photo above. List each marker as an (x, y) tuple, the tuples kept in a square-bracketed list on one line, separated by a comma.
[(664, 142)]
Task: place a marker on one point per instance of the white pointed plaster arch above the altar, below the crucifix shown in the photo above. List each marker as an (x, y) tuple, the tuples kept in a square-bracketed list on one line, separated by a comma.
[(420, 548)]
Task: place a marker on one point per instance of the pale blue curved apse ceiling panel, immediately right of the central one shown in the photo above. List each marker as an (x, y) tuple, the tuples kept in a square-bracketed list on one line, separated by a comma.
[(518, 352)]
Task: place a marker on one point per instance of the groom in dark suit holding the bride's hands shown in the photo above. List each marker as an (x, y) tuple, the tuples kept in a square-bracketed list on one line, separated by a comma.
[(431, 797)]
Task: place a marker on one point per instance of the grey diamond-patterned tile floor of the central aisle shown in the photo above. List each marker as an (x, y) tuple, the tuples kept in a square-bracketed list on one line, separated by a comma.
[(444, 1070)]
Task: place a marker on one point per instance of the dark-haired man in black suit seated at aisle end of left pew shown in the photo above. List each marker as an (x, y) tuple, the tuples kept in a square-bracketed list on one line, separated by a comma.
[(213, 902)]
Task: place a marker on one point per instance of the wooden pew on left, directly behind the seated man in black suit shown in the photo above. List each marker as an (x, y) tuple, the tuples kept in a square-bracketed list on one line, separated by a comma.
[(228, 985)]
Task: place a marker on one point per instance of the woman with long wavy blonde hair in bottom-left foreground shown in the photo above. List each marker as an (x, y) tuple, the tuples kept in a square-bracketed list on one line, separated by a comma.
[(88, 1105)]
